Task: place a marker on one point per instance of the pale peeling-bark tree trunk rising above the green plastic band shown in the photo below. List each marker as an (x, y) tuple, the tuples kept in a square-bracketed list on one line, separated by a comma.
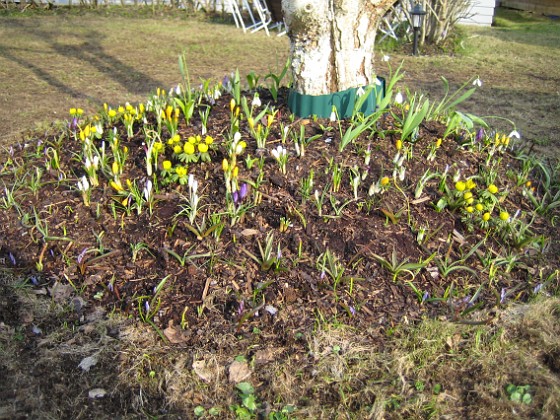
[(332, 42)]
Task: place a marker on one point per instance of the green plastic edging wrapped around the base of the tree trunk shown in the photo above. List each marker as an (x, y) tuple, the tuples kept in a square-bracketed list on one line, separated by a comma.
[(322, 105)]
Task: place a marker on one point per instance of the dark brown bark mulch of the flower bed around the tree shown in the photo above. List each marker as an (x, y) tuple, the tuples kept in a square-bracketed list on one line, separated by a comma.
[(219, 296)]
